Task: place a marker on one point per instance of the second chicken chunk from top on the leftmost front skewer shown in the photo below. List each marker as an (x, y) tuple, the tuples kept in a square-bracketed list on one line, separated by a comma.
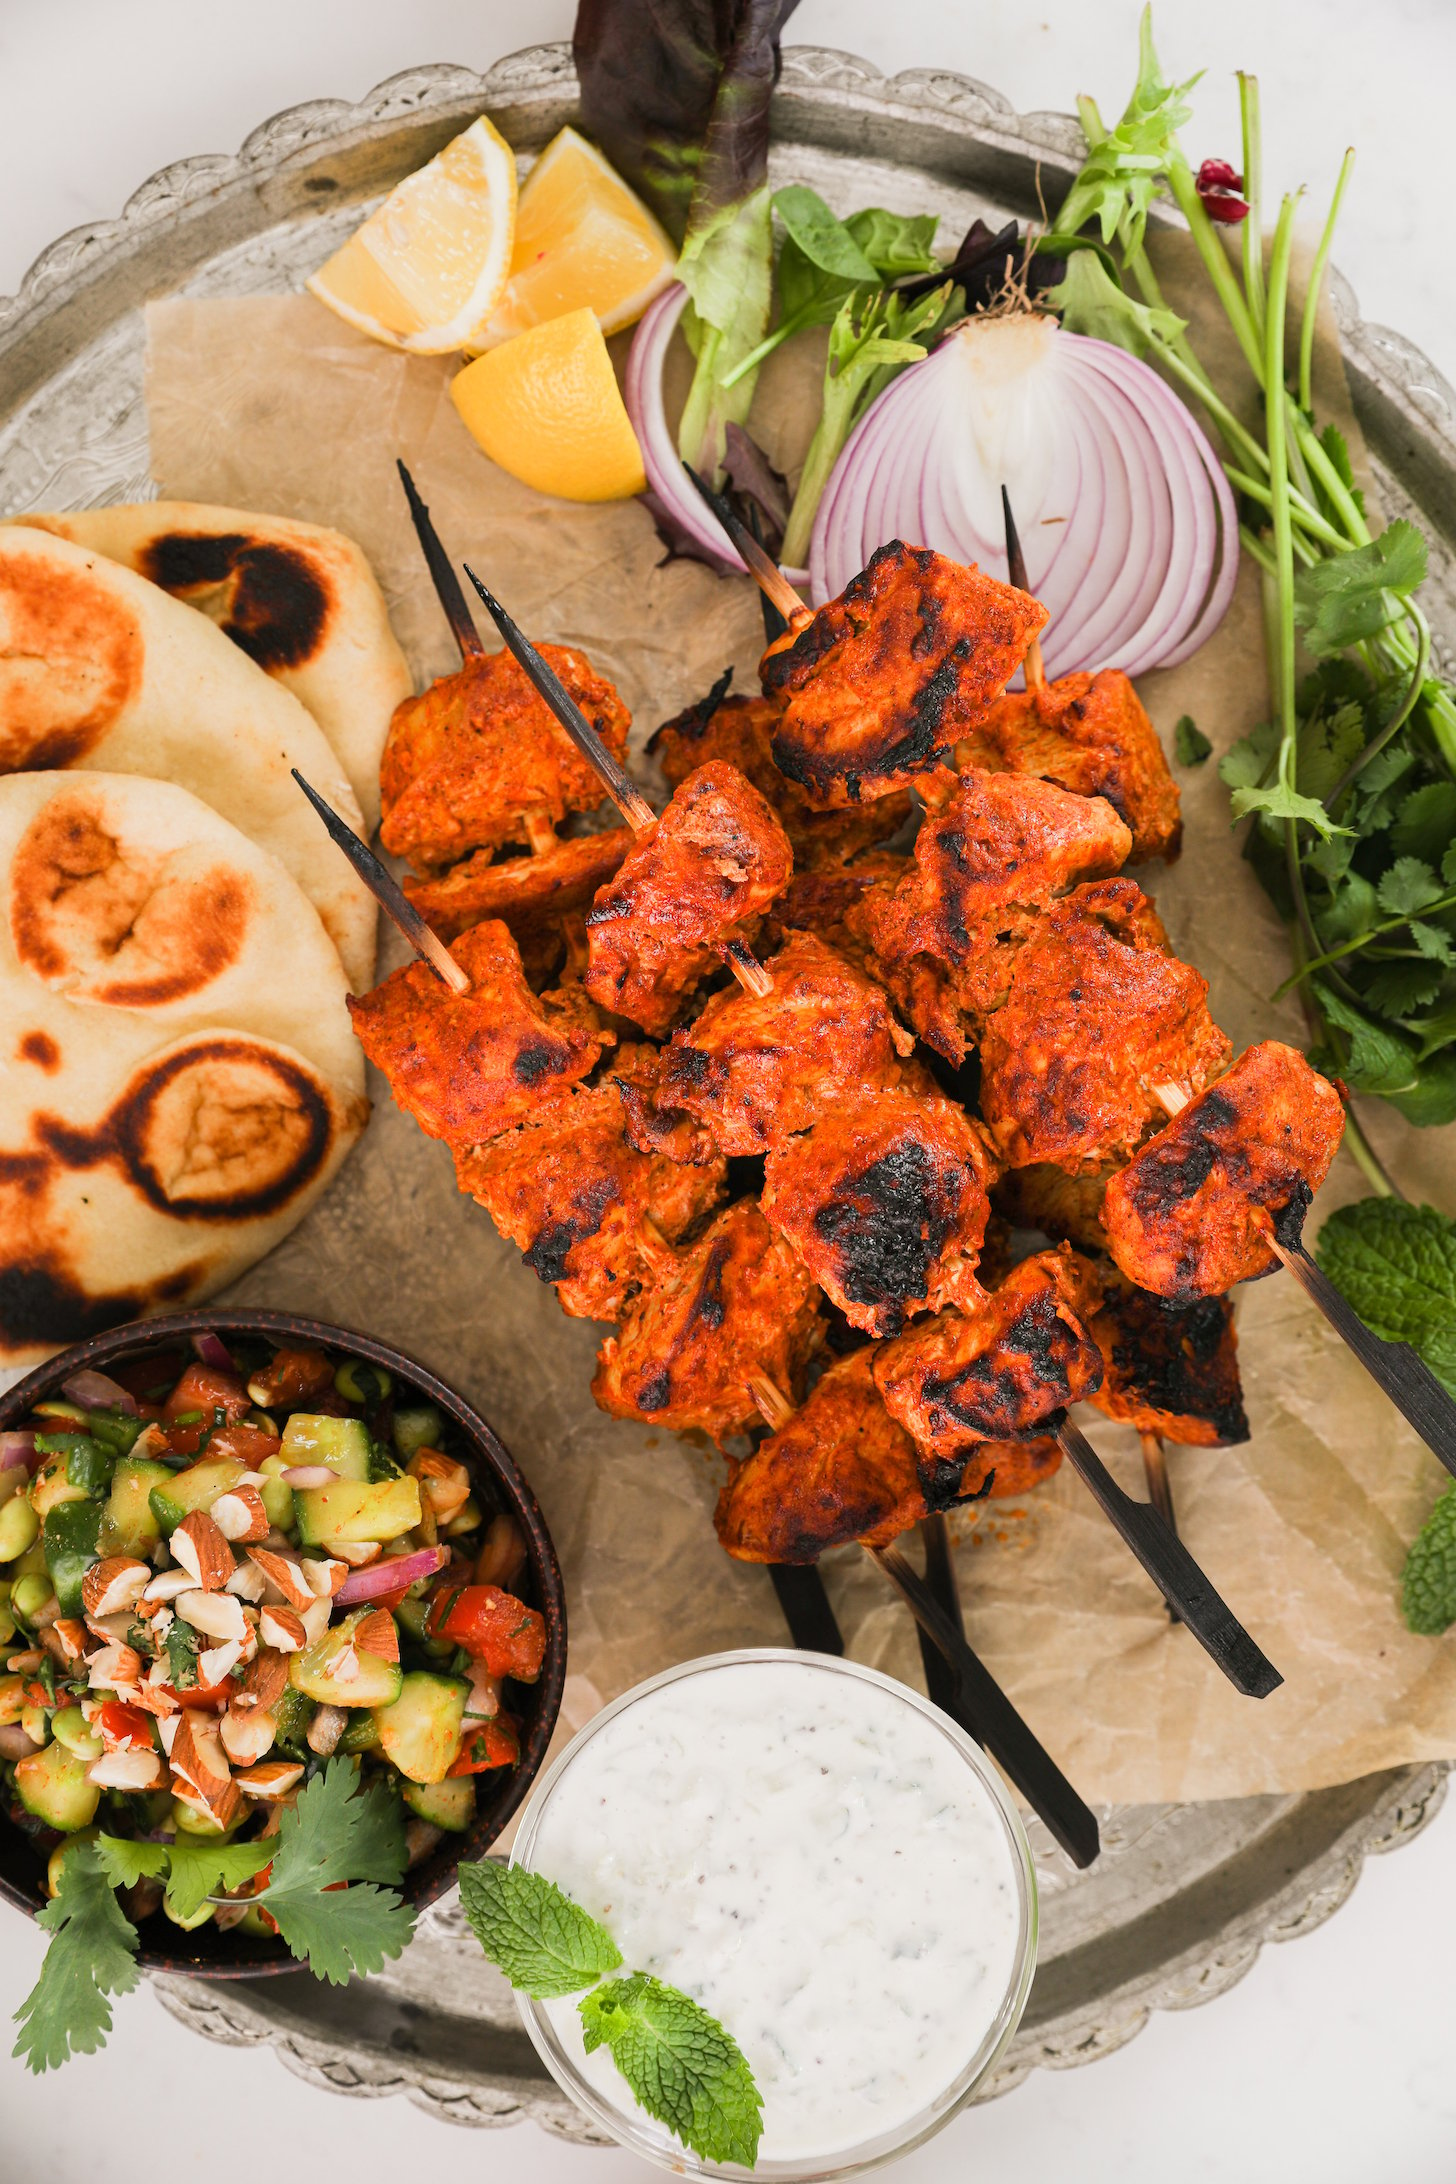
[(593, 1215)]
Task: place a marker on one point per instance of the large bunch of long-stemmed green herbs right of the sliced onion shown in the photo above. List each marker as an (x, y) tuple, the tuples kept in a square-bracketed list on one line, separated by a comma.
[(1352, 785)]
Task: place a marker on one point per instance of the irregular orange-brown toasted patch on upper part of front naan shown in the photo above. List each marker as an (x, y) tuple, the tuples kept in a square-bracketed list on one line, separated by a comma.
[(117, 925)]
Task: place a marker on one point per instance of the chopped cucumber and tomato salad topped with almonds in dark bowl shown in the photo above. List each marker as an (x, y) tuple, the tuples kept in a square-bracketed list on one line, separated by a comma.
[(226, 1574)]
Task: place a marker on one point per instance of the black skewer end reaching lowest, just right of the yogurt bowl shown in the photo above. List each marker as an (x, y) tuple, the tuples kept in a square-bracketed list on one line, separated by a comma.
[(977, 1702)]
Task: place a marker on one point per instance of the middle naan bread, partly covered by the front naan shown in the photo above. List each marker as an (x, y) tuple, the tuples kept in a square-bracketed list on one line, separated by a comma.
[(102, 669)]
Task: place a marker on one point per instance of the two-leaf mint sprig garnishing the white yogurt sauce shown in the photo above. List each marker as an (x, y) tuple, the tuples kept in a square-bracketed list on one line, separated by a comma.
[(682, 2067)]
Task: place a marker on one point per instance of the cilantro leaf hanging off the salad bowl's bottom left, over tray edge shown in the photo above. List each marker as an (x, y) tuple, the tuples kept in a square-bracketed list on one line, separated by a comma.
[(91, 1956)]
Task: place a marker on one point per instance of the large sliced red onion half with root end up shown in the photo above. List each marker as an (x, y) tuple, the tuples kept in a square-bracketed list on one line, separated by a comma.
[(1127, 521)]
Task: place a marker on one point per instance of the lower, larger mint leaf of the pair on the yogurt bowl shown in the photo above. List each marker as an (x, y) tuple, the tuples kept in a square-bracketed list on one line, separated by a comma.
[(680, 2065)]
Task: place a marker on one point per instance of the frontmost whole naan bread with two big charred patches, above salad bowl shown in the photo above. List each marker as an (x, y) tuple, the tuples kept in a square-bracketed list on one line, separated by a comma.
[(178, 1073)]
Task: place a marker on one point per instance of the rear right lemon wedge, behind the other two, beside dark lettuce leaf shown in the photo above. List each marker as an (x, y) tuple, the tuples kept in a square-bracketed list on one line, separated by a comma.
[(584, 241)]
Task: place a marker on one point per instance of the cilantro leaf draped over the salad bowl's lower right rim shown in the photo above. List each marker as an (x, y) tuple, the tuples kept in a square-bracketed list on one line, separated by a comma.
[(339, 1833)]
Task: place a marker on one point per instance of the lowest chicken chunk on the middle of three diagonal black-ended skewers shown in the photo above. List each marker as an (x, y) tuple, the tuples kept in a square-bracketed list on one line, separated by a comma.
[(1003, 1373)]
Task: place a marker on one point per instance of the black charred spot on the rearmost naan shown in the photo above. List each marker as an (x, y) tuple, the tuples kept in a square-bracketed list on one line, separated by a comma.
[(274, 602)]
